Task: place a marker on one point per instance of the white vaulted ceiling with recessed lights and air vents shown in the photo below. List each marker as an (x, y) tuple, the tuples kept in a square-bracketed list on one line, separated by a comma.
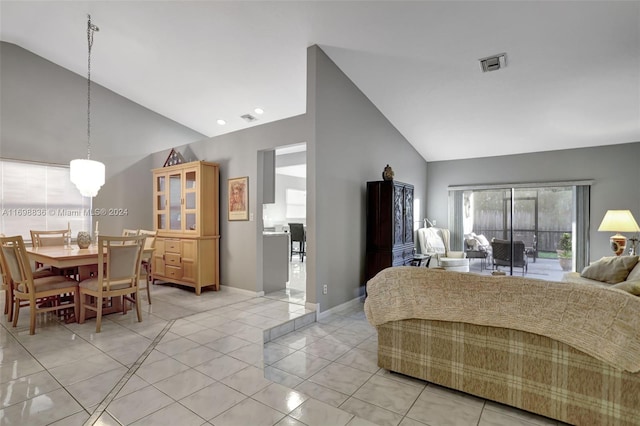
[(572, 80)]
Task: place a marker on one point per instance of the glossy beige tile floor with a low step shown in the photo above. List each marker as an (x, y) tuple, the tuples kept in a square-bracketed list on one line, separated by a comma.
[(204, 361)]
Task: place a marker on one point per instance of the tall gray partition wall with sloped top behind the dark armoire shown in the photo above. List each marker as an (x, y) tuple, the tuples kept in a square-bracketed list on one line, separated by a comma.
[(352, 143)]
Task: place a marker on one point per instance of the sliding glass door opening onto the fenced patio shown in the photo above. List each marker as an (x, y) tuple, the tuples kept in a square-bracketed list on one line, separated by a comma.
[(538, 230)]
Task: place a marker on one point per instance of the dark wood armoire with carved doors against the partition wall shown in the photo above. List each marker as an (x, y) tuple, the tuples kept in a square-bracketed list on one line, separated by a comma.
[(389, 226)]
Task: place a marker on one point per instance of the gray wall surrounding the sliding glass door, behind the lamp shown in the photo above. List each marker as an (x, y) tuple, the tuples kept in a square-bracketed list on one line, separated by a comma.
[(614, 168)]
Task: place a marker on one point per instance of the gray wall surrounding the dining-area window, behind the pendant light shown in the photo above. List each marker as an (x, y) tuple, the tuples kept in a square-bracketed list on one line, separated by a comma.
[(43, 118)]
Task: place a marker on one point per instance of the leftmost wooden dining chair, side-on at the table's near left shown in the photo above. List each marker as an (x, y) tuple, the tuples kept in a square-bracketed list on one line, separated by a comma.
[(35, 291)]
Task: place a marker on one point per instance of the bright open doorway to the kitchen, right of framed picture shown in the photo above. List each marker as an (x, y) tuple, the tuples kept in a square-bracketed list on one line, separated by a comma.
[(289, 206)]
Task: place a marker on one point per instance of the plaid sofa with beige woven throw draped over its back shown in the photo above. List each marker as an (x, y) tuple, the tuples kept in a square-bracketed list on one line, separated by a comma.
[(567, 351)]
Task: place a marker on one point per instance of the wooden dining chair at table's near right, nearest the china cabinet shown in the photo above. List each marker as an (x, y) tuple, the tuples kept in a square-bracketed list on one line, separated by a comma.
[(119, 262)]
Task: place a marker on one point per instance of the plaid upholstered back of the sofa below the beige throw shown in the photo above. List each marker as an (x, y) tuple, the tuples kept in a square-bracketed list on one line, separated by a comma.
[(520, 369)]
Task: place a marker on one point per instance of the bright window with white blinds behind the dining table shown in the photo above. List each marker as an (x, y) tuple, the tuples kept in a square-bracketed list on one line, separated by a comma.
[(40, 196)]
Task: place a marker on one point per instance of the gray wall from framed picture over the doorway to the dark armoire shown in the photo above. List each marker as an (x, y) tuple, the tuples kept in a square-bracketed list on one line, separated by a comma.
[(348, 143)]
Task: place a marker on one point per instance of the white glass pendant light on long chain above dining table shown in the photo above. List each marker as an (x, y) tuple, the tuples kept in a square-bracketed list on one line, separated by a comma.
[(88, 175)]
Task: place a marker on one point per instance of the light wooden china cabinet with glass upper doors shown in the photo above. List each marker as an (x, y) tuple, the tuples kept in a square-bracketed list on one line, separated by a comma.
[(186, 216)]
